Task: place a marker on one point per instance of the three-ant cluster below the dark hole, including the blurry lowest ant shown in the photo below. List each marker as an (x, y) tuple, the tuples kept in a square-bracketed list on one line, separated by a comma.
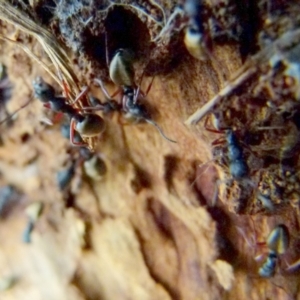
[(84, 122)]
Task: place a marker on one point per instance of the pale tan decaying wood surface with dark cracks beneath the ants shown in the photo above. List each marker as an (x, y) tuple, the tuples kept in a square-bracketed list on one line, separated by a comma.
[(148, 229)]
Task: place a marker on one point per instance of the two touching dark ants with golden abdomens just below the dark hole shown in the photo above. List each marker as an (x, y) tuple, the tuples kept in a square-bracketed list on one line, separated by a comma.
[(84, 121)]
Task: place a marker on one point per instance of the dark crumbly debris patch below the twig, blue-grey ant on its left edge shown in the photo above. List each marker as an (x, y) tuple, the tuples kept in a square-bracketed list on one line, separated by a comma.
[(263, 155)]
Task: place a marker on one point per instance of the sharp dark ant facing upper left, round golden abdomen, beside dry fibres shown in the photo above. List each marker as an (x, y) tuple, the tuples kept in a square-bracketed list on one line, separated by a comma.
[(87, 124)]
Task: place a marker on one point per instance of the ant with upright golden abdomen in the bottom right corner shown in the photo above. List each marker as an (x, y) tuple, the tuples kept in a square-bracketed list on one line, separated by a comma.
[(277, 243)]
